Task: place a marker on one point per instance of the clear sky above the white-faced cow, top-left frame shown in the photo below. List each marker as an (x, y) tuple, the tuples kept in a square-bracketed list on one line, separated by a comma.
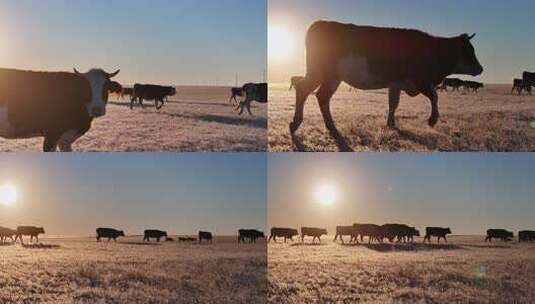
[(158, 41)]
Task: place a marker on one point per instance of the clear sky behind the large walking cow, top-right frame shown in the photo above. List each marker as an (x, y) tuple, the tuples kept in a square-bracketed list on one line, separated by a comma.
[(504, 43)]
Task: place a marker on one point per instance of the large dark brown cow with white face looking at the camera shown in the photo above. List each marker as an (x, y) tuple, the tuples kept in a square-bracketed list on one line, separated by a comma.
[(58, 106)]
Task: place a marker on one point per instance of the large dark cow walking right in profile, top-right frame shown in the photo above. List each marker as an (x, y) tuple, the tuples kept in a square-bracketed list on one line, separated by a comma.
[(367, 57)]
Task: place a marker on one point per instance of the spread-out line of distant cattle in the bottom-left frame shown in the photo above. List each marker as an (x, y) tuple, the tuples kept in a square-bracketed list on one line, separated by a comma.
[(244, 235)]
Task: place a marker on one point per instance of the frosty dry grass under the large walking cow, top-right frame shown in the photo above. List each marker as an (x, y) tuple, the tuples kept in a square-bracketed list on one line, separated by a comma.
[(492, 120)]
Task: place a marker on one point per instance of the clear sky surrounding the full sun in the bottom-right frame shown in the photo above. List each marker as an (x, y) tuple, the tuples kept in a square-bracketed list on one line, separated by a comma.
[(468, 192)]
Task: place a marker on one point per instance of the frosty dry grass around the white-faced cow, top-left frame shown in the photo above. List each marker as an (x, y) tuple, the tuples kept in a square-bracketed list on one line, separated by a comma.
[(196, 119)]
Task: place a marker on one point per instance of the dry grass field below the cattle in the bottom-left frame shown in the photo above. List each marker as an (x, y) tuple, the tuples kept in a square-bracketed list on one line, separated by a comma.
[(83, 271)]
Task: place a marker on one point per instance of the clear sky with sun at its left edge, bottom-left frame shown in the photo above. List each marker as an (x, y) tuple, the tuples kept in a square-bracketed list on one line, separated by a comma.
[(181, 193)]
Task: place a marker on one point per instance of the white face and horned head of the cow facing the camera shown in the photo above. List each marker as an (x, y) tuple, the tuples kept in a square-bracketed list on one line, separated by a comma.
[(99, 82)]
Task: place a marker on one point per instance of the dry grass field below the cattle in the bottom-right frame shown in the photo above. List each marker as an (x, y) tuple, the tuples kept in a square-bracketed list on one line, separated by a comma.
[(467, 270)]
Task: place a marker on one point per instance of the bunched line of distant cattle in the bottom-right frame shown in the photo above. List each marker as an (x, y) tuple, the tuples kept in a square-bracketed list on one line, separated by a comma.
[(391, 232)]
